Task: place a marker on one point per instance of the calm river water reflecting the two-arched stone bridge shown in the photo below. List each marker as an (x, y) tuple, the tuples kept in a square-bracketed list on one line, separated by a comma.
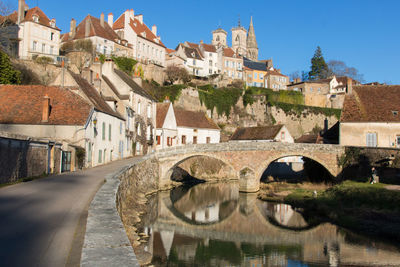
[(214, 225)]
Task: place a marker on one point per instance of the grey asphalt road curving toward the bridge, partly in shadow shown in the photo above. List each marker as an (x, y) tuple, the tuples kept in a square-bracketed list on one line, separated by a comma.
[(42, 222)]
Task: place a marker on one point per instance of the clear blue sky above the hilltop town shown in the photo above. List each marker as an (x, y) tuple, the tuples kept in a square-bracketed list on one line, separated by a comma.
[(365, 34)]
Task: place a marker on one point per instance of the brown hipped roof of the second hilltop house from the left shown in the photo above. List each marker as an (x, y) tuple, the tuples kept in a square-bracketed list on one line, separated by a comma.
[(96, 29)]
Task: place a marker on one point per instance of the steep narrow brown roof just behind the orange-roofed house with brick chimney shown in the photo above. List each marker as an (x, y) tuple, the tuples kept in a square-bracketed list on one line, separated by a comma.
[(94, 97)]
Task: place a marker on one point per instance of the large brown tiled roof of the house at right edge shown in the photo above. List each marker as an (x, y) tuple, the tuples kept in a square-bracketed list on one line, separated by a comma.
[(372, 104)]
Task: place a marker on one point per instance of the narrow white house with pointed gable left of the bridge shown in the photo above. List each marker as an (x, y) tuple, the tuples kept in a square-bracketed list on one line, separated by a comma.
[(166, 127)]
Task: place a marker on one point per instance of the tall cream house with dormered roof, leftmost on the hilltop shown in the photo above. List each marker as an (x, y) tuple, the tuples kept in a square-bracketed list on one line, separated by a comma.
[(28, 33)]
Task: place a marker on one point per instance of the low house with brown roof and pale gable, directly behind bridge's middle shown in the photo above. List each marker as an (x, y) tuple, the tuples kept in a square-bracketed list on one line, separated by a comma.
[(275, 133)]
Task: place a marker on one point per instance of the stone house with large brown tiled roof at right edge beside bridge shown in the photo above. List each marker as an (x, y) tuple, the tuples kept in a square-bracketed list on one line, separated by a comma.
[(370, 117)]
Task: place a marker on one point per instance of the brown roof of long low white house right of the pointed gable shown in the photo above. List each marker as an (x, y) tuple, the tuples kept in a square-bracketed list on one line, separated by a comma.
[(193, 119)]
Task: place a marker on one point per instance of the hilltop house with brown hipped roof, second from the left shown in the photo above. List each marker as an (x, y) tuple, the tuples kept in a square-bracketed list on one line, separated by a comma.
[(104, 39)]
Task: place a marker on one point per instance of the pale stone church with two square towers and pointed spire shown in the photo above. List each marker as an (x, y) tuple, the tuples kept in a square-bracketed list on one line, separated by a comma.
[(244, 42)]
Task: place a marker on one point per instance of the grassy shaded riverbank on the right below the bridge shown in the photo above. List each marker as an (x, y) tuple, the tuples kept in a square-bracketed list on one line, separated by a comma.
[(361, 207)]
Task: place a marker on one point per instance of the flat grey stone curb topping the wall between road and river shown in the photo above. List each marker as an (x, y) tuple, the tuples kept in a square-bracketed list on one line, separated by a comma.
[(106, 243)]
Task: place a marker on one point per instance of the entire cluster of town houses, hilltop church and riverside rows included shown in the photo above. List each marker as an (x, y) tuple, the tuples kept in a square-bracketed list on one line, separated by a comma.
[(101, 114)]
